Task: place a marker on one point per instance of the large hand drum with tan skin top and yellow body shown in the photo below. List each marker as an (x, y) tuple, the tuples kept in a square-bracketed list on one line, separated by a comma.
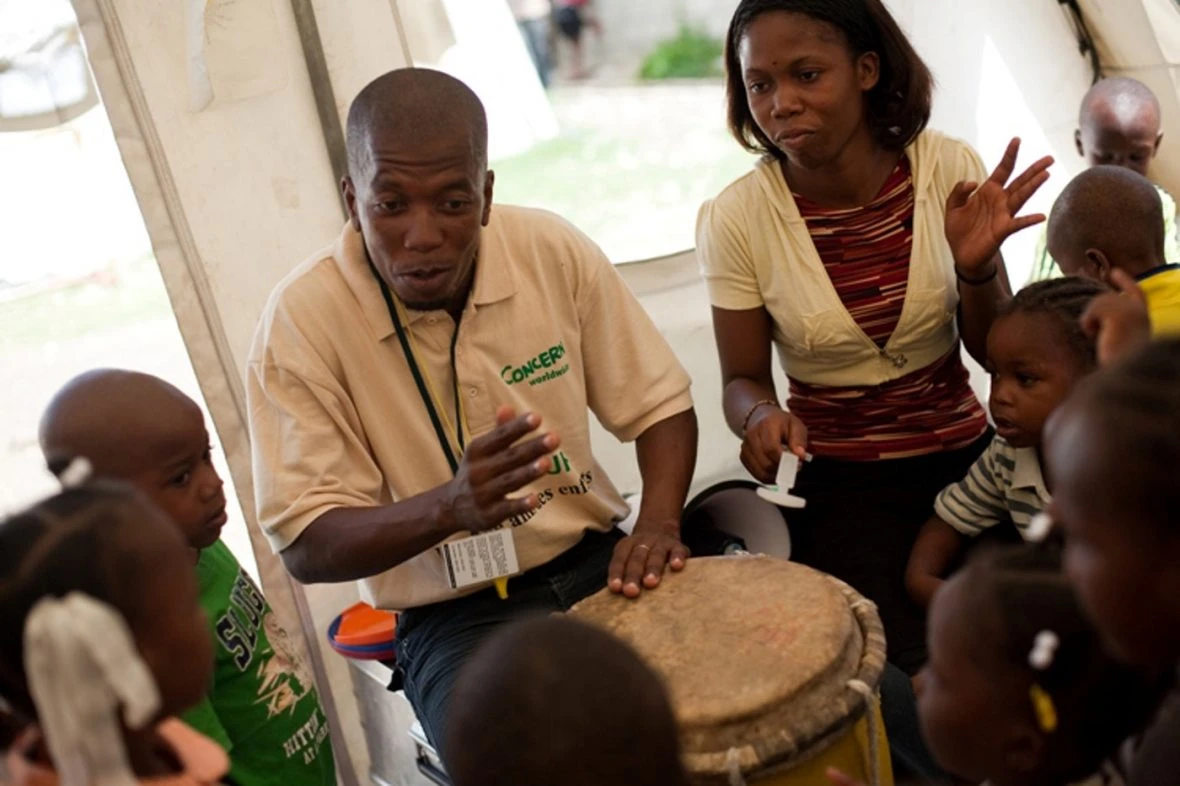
[(771, 666)]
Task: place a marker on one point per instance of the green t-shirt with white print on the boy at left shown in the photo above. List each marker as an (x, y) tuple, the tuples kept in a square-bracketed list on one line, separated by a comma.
[(263, 706)]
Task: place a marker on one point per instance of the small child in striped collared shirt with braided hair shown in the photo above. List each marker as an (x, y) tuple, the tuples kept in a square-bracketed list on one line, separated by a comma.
[(1037, 352)]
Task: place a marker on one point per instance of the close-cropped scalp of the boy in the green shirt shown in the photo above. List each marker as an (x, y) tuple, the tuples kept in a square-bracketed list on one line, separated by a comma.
[(116, 420)]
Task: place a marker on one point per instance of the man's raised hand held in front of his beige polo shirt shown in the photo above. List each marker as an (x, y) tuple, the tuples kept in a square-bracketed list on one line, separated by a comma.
[(495, 466)]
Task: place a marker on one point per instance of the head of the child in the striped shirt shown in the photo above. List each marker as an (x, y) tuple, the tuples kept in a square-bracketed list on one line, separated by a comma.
[(1037, 353)]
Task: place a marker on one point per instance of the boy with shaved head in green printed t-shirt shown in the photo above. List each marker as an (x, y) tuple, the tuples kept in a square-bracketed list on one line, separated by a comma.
[(263, 706)]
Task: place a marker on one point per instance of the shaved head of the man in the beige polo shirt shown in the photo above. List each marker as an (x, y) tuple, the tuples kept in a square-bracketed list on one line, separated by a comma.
[(418, 189)]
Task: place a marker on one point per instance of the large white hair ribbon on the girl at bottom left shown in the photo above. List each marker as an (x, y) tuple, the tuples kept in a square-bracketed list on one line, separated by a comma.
[(83, 666)]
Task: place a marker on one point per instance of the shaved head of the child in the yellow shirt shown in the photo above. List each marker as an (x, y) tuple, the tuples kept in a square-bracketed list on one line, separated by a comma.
[(1107, 218)]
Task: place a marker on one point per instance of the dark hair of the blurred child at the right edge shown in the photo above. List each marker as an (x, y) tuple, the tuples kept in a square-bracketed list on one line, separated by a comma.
[(1136, 407)]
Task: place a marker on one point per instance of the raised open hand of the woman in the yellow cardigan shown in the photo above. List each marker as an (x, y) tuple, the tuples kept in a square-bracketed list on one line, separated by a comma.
[(982, 217)]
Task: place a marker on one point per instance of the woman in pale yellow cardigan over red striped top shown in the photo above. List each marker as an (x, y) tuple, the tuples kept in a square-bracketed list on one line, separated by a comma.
[(863, 247)]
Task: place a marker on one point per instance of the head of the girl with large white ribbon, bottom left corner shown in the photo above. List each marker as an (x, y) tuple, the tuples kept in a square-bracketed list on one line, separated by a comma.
[(108, 543)]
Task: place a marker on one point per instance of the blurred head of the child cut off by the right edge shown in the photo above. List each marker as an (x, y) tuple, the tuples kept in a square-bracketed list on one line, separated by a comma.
[(1113, 453)]
